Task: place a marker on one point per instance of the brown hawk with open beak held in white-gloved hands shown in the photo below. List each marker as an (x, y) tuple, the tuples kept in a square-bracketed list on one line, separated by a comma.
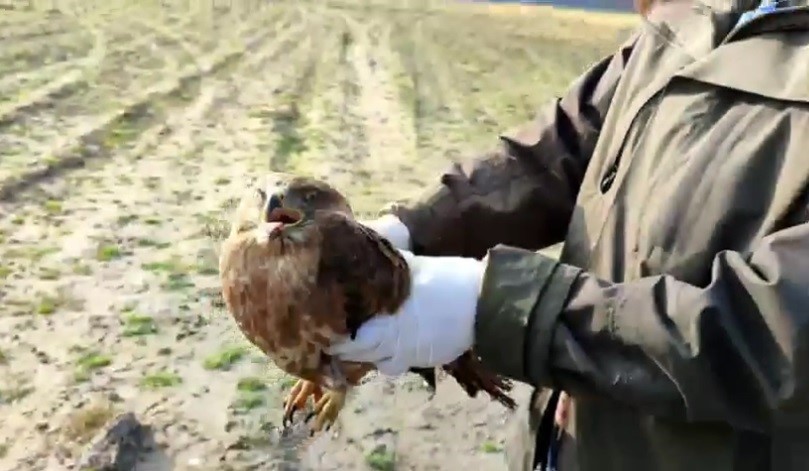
[(298, 273)]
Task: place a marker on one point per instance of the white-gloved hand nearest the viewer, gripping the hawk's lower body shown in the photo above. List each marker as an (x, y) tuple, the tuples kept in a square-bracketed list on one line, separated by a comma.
[(435, 325)]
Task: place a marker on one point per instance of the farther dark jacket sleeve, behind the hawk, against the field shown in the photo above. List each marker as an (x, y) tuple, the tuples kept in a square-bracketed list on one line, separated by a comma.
[(523, 192)]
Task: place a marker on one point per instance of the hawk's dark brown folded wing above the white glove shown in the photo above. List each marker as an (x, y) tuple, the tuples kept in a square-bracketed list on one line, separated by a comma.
[(364, 267)]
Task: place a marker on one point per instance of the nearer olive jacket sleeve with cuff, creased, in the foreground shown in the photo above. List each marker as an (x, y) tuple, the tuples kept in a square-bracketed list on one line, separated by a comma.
[(735, 351)]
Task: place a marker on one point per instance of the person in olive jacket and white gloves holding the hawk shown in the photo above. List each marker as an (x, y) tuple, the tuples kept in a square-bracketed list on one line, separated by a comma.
[(676, 172)]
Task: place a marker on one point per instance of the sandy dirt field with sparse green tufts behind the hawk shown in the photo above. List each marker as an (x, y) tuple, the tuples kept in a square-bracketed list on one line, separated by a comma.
[(127, 127)]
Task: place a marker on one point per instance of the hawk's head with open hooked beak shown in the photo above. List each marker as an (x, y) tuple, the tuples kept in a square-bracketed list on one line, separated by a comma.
[(293, 205)]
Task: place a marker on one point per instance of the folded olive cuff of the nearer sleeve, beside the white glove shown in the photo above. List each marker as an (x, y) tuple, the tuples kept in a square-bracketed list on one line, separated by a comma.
[(522, 296)]
